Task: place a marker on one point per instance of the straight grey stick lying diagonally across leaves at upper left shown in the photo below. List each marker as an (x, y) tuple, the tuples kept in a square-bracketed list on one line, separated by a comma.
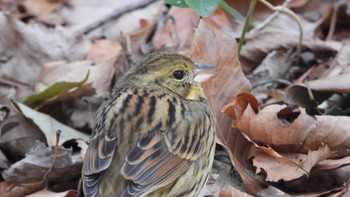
[(120, 9)]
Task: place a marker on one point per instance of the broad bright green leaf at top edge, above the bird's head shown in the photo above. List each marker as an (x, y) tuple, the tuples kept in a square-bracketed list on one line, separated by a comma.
[(203, 7)]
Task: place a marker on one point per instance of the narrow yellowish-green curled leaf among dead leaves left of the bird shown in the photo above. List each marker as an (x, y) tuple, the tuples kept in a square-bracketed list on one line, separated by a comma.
[(52, 91)]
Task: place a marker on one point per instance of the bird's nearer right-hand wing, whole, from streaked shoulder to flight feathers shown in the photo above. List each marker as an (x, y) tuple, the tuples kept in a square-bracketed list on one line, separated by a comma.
[(158, 158)]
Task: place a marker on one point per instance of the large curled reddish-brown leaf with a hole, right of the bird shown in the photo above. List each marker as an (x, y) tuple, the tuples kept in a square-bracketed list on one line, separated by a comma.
[(303, 134)]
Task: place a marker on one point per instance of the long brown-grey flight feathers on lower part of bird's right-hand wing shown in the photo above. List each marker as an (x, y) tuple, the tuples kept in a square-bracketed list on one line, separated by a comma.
[(149, 165)]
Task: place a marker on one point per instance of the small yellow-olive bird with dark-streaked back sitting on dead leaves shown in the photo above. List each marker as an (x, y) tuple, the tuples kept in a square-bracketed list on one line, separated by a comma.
[(155, 136)]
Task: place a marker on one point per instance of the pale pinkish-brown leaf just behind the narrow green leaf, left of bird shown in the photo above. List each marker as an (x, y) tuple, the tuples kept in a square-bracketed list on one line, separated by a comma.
[(100, 77)]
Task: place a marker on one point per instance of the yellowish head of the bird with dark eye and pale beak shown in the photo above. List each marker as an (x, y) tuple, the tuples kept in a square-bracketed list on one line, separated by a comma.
[(175, 72)]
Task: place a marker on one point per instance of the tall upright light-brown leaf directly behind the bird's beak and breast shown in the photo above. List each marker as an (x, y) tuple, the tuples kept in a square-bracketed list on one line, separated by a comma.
[(219, 49)]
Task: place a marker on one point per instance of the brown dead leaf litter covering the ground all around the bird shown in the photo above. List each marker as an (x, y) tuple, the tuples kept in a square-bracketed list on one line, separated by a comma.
[(282, 118)]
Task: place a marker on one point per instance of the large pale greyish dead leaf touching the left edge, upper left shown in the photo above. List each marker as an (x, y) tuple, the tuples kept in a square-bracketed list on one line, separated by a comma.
[(26, 47)]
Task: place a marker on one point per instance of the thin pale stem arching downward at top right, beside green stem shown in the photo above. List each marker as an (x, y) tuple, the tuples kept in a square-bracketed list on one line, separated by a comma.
[(291, 14)]
